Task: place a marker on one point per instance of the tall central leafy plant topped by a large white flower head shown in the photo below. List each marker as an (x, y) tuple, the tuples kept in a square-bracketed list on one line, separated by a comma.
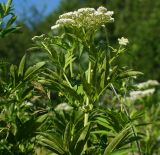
[(83, 71)]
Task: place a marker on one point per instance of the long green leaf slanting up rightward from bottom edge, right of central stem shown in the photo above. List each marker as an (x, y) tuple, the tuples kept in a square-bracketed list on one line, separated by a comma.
[(112, 145)]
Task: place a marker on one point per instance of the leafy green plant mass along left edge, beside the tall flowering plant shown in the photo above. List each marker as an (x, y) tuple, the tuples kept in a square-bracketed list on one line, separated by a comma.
[(18, 120)]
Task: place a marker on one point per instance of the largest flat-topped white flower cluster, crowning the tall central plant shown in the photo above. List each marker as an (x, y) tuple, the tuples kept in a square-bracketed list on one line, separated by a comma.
[(89, 18)]
